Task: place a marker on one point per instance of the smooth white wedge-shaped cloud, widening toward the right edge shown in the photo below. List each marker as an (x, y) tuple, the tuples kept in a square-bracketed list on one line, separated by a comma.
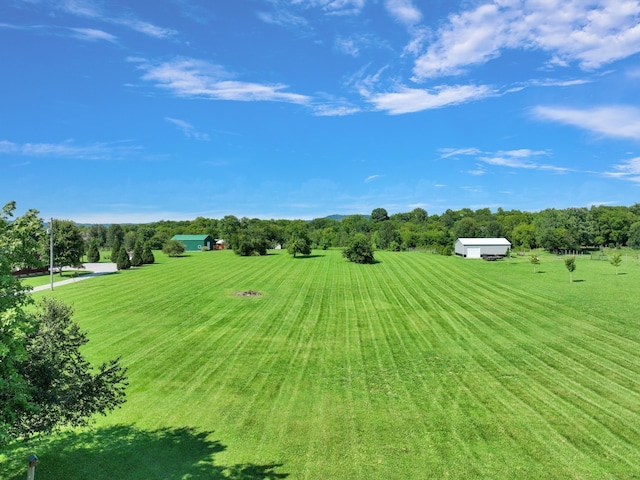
[(611, 121)]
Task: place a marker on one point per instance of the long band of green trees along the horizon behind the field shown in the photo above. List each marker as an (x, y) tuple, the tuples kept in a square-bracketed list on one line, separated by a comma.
[(552, 229)]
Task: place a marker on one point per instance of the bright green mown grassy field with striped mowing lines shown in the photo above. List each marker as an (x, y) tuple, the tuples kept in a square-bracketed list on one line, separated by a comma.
[(420, 366)]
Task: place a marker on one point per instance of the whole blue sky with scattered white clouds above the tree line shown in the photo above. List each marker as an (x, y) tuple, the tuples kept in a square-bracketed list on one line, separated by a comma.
[(137, 111)]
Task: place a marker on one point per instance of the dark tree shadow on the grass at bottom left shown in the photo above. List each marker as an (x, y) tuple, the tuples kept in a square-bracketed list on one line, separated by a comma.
[(124, 452)]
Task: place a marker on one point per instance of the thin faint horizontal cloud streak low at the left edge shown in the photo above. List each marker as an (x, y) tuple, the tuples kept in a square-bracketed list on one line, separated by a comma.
[(69, 150)]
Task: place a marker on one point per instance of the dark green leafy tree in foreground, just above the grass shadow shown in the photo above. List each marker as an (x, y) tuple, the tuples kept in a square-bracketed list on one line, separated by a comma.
[(63, 390)]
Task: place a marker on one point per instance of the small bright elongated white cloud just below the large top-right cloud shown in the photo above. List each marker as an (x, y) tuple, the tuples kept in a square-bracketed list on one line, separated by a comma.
[(407, 100)]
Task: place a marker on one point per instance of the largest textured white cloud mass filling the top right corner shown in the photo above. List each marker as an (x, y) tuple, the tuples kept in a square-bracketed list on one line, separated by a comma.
[(591, 34)]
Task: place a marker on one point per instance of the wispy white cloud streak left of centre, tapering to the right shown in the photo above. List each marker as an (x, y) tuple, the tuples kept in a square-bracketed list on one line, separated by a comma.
[(187, 77)]
